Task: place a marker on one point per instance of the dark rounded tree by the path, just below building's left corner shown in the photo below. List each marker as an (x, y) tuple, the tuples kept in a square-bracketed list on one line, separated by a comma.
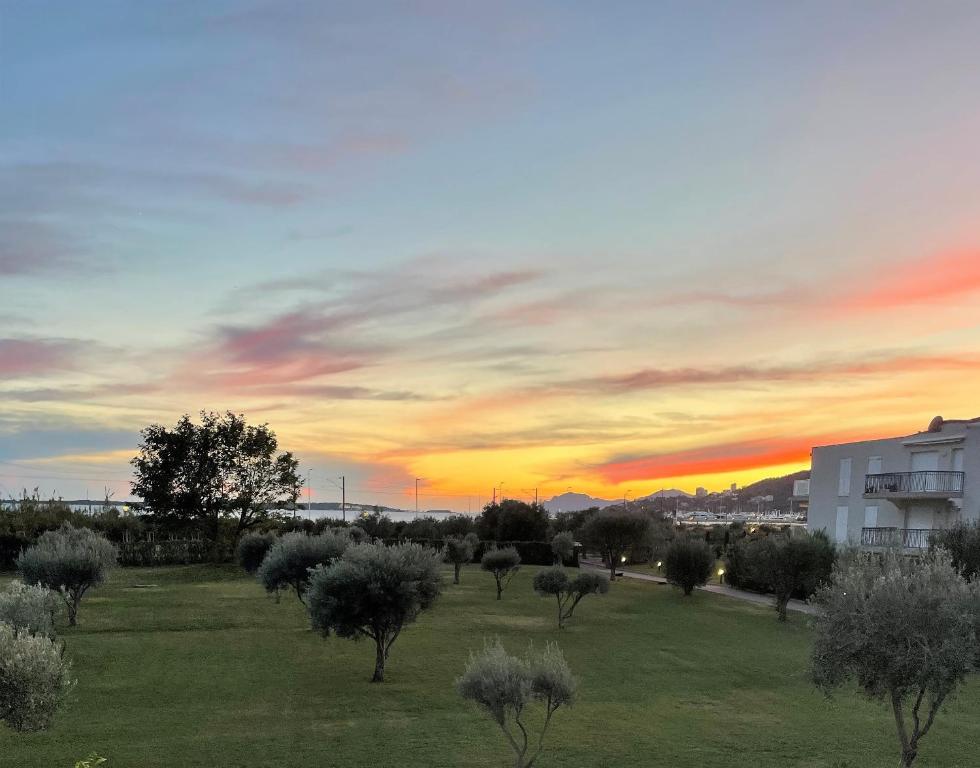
[(790, 564)]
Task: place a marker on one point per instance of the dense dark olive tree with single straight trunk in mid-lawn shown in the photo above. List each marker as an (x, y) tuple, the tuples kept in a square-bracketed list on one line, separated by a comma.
[(374, 591)]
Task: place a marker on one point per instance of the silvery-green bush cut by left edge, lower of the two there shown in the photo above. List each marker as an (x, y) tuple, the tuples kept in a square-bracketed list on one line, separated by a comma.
[(34, 679)]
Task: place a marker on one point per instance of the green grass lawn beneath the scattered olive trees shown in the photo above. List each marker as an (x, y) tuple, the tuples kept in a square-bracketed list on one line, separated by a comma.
[(204, 670)]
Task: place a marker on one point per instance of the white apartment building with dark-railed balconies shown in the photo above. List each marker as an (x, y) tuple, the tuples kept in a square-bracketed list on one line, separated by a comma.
[(894, 491)]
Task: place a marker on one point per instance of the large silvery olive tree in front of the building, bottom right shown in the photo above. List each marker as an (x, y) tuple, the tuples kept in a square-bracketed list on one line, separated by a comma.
[(904, 630)]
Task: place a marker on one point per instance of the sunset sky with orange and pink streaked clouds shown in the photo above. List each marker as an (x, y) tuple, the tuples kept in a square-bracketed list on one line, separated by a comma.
[(600, 247)]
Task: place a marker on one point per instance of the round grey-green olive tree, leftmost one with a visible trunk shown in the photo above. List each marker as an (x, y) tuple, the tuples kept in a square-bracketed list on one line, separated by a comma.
[(69, 560)]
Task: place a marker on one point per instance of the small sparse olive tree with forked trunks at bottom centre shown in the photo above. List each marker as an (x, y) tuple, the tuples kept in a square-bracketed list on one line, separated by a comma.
[(506, 686)]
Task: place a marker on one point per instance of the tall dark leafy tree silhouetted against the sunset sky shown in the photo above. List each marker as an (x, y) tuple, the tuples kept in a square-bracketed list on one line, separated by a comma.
[(220, 468)]
